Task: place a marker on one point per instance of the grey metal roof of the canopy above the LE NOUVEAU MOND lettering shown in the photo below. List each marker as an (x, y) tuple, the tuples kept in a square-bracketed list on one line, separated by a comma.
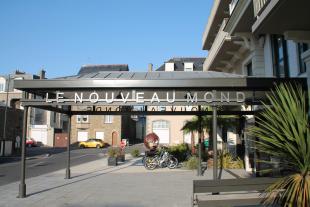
[(159, 79)]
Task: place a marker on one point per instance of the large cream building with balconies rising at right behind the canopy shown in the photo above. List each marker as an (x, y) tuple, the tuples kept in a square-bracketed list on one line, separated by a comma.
[(260, 38)]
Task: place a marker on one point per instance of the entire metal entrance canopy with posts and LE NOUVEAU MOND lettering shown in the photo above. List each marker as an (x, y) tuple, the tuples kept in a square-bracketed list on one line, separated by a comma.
[(118, 93)]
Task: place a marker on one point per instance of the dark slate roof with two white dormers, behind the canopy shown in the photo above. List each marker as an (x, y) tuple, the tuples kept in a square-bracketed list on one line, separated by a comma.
[(179, 63)]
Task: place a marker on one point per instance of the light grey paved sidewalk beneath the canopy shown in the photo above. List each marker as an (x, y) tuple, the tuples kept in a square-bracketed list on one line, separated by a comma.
[(95, 184)]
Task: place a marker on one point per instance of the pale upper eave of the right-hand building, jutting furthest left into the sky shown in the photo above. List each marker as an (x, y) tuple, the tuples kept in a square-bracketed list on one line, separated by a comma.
[(220, 10)]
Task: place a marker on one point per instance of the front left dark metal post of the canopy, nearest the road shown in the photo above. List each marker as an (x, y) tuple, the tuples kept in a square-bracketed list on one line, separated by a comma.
[(22, 185)]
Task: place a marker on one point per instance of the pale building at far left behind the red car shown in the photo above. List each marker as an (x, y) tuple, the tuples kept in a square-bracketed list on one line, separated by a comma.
[(42, 124)]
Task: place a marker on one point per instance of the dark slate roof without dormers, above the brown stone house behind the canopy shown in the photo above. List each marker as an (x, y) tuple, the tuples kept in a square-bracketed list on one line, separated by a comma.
[(97, 68)]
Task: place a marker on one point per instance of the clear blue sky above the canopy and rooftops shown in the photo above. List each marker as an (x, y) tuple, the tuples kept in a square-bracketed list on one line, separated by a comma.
[(62, 35)]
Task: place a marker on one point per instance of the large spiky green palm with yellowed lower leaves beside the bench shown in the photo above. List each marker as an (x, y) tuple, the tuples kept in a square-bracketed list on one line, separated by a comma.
[(283, 132)]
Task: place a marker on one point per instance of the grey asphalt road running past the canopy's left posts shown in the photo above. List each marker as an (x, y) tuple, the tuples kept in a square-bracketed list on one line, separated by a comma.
[(41, 160)]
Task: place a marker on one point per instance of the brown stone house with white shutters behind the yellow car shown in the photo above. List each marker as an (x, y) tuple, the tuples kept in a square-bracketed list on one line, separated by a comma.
[(109, 128)]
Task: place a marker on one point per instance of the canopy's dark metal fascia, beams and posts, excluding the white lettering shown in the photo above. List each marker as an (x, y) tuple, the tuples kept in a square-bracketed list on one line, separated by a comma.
[(40, 87)]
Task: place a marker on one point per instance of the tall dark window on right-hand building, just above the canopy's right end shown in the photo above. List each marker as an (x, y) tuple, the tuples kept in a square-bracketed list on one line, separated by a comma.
[(280, 57)]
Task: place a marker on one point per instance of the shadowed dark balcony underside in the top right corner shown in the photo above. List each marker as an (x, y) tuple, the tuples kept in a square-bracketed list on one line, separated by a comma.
[(280, 16)]
